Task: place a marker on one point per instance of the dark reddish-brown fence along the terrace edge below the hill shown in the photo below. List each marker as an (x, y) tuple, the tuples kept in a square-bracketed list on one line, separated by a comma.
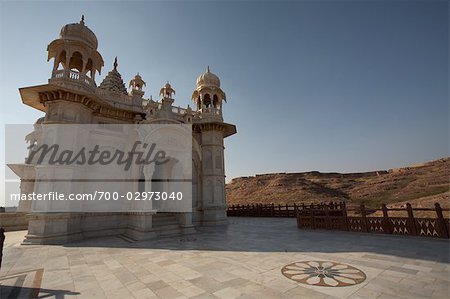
[(336, 216)]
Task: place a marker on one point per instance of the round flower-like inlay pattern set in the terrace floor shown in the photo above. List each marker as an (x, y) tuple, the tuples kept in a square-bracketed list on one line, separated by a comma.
[(323, 273)]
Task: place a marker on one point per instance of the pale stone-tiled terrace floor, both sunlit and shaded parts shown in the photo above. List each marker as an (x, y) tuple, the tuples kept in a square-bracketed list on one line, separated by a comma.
[(246, 259)]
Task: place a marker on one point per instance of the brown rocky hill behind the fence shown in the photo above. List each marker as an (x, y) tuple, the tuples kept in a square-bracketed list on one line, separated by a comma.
[(428, 181)]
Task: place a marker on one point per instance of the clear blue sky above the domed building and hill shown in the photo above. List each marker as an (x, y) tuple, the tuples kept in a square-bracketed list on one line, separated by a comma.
[(311, 85)]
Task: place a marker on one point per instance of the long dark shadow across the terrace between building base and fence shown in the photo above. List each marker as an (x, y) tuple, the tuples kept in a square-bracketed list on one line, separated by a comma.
[(251, 234)]
